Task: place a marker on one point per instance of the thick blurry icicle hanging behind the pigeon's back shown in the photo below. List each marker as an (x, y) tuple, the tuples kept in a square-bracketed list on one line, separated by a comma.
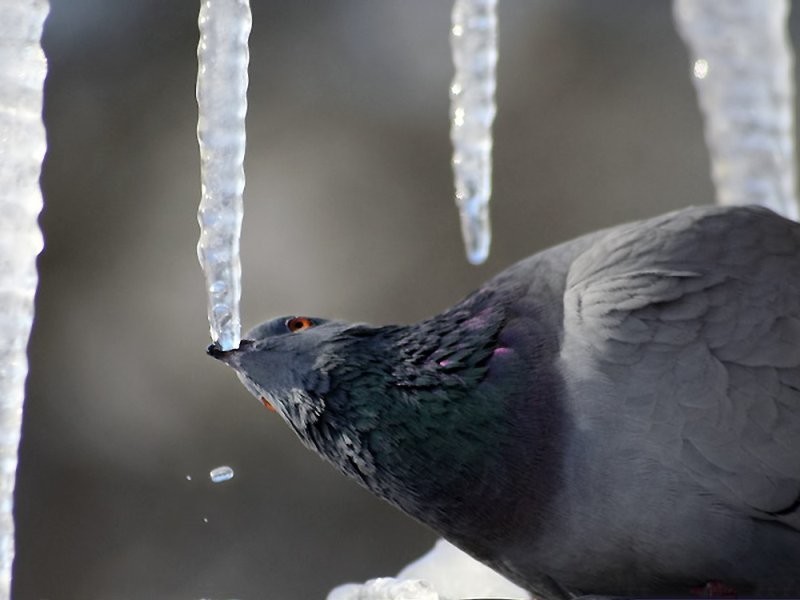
[(742, 66)]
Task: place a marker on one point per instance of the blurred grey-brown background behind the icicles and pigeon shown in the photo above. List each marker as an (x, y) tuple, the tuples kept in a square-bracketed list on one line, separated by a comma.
[(348, 214)]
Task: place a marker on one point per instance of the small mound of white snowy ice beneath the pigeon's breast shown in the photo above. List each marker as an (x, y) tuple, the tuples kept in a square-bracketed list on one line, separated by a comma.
[(445, 571)]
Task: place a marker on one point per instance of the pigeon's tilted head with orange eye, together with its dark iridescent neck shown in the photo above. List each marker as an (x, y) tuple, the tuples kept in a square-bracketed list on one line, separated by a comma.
[(413, 412)]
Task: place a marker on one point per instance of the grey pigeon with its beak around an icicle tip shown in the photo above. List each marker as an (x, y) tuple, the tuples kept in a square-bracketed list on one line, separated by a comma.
[(617, 415)]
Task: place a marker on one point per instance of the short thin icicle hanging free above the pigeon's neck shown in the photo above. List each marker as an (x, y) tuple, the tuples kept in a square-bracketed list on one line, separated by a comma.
[(473, 38)]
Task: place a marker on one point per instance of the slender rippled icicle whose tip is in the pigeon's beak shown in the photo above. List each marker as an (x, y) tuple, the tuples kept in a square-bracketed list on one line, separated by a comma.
[(222, 99)]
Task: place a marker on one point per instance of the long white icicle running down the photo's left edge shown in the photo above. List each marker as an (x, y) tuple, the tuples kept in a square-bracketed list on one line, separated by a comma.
[(22, 147)]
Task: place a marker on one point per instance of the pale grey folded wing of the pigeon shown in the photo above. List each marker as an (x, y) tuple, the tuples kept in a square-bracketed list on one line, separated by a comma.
[(690, 324)]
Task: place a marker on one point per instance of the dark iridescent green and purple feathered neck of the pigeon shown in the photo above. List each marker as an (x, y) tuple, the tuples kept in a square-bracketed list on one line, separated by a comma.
[(430, 423)]
